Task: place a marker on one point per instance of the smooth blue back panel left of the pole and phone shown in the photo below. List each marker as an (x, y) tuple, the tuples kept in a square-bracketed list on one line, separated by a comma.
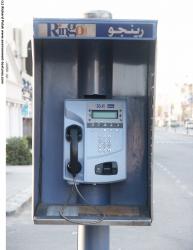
[(60, 82)]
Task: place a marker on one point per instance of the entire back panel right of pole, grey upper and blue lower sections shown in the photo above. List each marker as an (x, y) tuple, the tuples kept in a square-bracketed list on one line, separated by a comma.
[(130, 79)]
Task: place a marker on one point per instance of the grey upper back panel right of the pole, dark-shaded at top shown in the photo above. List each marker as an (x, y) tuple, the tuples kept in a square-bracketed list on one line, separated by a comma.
[(130, 59)]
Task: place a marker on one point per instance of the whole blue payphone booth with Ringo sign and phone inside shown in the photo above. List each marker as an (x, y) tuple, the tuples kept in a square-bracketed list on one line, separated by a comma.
[(93, 121)]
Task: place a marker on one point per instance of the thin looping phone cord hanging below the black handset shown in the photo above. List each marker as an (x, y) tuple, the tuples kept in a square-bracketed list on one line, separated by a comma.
[(76, 189)]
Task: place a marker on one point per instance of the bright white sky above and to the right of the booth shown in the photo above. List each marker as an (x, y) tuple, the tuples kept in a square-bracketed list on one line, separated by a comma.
[(175, 29)]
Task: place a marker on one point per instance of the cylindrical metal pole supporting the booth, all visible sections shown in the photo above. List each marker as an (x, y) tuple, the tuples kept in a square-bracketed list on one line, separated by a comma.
[(95, 79)]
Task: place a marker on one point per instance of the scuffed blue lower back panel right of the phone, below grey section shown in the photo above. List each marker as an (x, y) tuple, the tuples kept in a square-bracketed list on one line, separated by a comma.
[(133, 191)]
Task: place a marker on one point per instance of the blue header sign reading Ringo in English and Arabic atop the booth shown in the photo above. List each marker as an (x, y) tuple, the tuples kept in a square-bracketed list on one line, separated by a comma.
[(108, 29)]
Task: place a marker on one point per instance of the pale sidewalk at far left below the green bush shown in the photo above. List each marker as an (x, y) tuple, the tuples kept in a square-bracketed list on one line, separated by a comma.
[(18, 187)]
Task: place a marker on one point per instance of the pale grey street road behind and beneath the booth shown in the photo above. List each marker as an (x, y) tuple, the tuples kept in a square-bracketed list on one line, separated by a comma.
[(172, 227)]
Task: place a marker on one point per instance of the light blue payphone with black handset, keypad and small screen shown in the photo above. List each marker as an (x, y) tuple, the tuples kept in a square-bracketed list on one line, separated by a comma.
[(95, 140)]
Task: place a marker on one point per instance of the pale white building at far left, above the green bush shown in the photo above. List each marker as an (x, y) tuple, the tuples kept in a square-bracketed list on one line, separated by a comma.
[(18, 82)]
